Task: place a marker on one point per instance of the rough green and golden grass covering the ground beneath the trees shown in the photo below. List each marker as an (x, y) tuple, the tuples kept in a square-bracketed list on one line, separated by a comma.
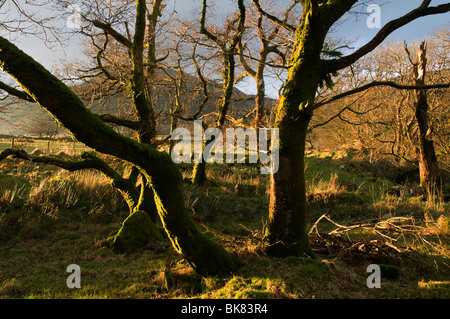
[(50, 219)]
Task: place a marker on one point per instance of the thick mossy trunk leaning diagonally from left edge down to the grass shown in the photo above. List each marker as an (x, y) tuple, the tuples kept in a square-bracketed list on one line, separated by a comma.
[(164, 177)]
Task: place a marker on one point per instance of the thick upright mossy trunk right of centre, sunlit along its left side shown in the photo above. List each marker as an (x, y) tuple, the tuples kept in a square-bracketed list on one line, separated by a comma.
[(286, 232)]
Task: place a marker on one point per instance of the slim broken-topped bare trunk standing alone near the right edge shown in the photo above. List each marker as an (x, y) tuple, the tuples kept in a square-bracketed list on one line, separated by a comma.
[(428, 164)]
